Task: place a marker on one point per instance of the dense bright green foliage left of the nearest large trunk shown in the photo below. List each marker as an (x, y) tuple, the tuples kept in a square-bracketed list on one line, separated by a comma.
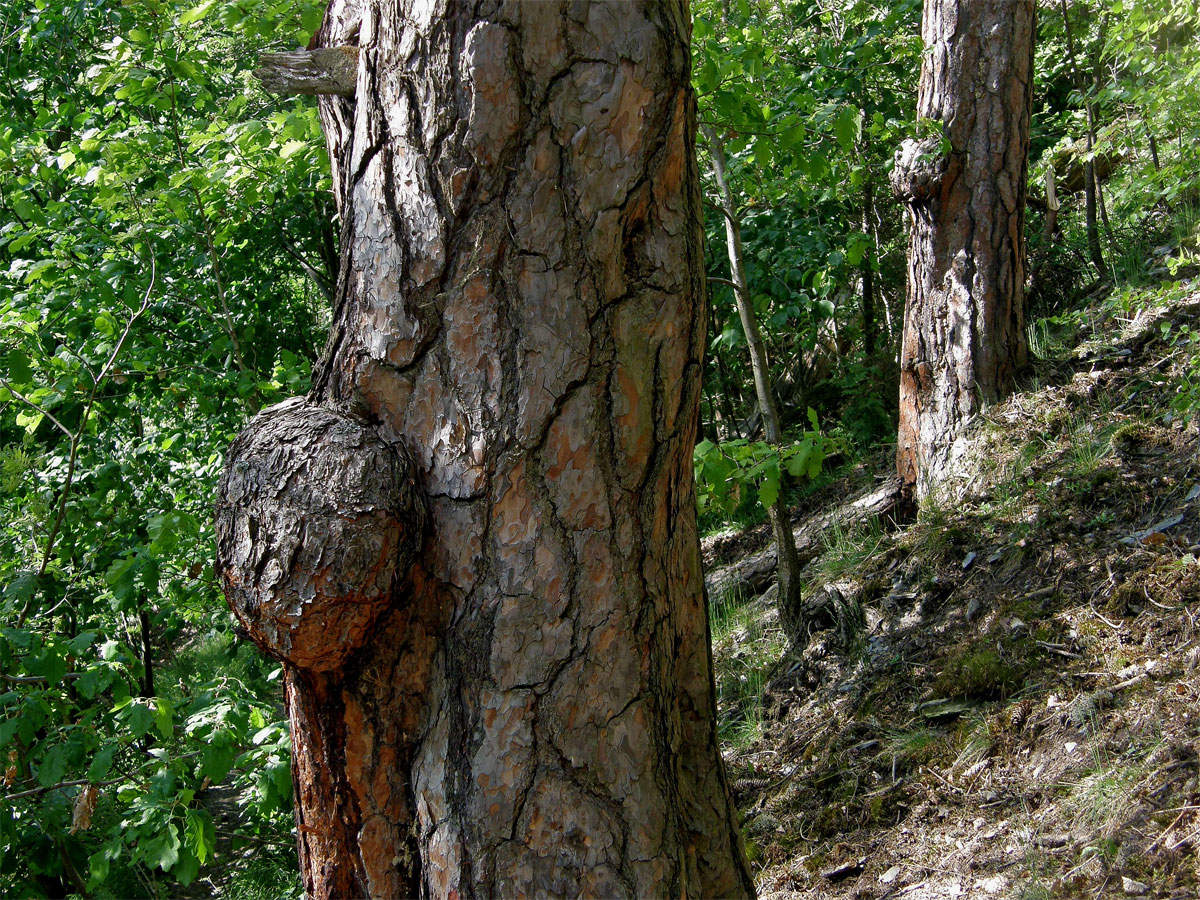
[(166, 253)]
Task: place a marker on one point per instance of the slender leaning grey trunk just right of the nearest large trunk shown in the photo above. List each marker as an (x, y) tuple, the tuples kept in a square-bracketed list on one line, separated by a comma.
[(789, 569)]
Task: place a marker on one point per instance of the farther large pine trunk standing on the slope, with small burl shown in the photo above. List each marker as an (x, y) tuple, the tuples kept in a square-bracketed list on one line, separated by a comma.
[(964, 332)]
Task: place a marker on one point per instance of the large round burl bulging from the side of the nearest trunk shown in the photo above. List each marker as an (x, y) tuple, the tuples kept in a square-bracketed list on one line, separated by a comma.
[(319, 521)]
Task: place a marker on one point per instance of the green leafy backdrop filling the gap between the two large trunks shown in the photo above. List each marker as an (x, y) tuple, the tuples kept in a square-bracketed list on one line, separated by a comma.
[(811, 103)]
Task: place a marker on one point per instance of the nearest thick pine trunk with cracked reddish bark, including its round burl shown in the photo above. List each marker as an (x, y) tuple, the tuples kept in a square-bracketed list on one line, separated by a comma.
[(509, 400)]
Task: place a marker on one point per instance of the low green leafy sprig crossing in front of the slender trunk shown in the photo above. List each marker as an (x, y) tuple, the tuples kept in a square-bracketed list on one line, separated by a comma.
[(724, 472)]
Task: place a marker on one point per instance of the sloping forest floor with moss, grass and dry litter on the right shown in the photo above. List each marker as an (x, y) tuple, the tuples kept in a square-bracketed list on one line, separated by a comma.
[(999, 700)]
